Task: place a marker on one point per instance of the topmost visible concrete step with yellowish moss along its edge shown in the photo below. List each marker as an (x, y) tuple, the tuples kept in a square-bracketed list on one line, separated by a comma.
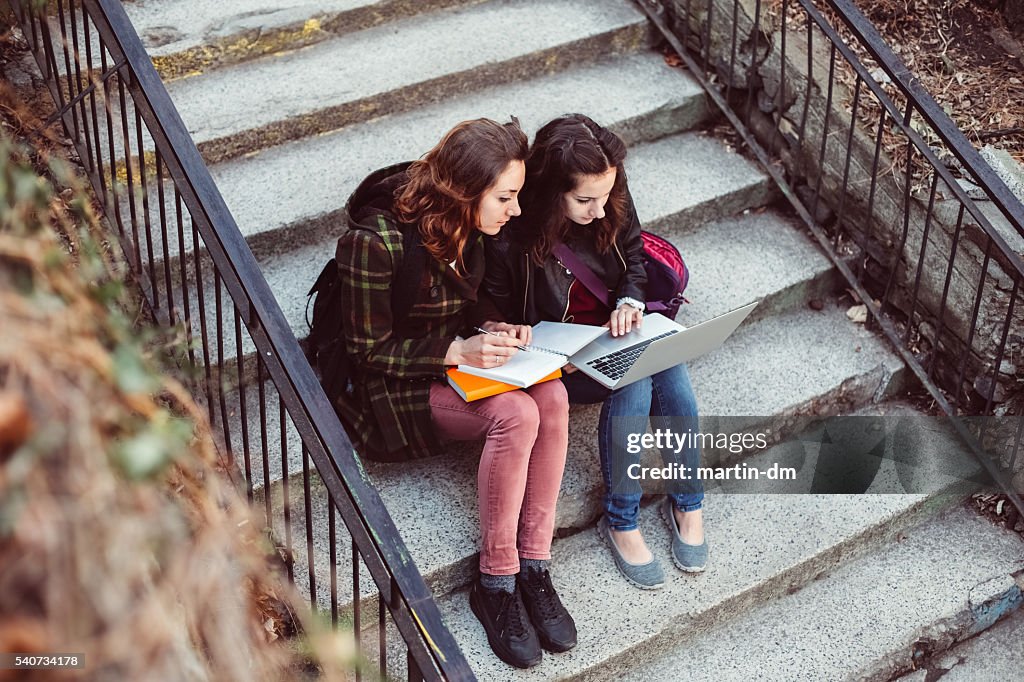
[(186, 38)]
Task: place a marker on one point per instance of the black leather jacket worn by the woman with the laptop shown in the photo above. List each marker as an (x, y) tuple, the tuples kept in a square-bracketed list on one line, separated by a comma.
[(526, 293)]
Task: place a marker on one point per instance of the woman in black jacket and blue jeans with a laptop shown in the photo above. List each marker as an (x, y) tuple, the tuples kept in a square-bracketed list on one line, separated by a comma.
[(576, 194)]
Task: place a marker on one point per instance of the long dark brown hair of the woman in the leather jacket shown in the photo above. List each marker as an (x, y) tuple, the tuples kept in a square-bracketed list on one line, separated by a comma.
[(565, 151)]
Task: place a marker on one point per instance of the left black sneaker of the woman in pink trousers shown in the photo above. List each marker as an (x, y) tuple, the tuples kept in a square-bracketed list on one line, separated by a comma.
[(504, 619)]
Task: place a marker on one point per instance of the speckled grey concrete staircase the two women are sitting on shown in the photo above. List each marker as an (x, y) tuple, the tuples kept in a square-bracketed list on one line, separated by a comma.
[(293, 103)]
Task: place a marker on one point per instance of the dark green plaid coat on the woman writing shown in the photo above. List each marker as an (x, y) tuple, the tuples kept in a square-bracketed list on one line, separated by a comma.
[(388, 411)]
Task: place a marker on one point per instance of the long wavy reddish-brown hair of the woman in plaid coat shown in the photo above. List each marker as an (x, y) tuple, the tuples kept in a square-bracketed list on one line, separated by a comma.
[(445, 188)]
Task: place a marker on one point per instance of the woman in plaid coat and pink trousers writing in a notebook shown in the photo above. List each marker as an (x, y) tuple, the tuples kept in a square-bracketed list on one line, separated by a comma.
[(400, 405)]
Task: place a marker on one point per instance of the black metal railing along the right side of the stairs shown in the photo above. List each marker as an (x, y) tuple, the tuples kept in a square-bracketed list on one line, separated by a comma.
[(871, 163)]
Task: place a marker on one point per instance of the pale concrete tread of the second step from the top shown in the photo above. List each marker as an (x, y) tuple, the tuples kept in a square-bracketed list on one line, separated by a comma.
[(281, 88)]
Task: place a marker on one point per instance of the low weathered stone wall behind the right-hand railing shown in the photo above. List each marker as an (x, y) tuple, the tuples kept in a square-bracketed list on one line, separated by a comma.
[(874, 232)]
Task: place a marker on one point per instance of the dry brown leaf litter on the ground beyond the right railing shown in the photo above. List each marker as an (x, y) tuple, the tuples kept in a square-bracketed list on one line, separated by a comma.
[(965, 57)]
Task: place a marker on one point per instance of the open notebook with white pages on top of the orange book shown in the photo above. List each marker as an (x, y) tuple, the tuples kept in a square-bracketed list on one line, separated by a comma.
[(553, 345)]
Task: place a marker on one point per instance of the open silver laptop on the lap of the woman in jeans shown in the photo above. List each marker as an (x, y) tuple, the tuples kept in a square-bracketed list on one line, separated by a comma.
[(659, 345)]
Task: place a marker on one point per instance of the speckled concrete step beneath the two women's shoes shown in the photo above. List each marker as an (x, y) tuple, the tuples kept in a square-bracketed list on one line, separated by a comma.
[(760, 547)]
